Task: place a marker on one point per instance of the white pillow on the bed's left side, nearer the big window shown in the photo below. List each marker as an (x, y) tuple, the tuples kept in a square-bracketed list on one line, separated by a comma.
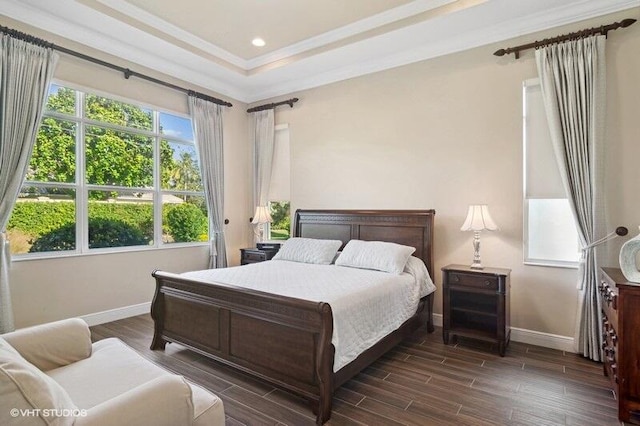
[(308, 250)]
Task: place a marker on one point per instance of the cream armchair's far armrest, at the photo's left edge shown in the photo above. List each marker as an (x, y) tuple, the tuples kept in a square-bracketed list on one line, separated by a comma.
[(52, 345)]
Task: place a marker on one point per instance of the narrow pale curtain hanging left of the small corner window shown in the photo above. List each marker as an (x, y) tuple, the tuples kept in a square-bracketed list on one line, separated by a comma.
[(264, 141)]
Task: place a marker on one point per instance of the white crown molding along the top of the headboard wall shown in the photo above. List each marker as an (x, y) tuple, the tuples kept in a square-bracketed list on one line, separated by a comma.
[(423, 41)]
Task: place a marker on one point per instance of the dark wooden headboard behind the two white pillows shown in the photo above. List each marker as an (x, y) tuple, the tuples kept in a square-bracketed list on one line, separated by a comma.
[(407, 227)]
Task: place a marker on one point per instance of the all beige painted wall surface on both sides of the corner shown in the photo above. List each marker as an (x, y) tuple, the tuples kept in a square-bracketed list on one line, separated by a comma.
[(439, 134)]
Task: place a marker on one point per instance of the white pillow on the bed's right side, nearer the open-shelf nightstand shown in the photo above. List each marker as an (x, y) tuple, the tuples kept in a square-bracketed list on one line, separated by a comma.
[(377, 255)]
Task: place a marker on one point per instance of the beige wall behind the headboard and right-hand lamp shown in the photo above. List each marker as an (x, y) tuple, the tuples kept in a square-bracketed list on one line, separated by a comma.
[(446, 133)]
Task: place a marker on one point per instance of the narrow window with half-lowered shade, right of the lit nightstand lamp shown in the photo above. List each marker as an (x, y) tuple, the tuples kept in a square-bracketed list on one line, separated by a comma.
[(550, 234)]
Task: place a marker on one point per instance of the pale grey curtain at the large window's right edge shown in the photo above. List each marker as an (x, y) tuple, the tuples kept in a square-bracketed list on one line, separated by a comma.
[(207, 125)]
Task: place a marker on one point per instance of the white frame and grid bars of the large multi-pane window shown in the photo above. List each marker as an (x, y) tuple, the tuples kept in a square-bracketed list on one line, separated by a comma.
[(82, 188)]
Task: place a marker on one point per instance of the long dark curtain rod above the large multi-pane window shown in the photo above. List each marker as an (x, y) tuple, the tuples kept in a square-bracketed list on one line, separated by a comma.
[(126, 71)]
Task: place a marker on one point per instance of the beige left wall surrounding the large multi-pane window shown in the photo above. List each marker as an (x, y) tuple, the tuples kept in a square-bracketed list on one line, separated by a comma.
[(52, 289)]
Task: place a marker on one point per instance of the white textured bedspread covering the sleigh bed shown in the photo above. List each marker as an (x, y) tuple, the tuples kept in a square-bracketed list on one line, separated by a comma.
[(367, 305)]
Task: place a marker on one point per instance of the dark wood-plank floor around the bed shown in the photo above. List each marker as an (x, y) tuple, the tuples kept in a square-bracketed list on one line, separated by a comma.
[(420, 382)]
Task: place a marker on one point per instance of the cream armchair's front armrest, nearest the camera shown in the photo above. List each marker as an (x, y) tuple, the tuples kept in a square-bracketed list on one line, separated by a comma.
[(164, 401)]
